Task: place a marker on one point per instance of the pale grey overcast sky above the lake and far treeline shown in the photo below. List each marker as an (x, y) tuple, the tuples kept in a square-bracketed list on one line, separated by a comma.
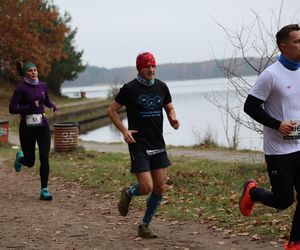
[(112, 32)]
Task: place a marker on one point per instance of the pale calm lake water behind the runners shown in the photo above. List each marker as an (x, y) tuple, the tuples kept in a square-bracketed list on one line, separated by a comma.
[(198, 116)]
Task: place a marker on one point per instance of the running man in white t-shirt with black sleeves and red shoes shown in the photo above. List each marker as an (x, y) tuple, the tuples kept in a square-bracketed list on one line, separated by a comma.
[(274, 102)]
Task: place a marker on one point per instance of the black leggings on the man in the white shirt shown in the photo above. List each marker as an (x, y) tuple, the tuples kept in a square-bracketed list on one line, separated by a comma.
[(284, 174)]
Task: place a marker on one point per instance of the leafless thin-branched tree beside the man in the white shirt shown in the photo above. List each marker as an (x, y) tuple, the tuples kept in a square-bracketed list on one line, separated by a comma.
[(254, 46)]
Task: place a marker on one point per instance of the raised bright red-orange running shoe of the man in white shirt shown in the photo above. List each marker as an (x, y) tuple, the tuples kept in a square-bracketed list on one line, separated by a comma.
[(246, 204)]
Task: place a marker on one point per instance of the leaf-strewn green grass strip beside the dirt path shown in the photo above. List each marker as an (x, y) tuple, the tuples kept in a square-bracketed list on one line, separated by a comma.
[(197, 190)]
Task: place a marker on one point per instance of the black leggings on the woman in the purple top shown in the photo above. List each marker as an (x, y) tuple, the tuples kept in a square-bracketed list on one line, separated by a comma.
[(28, 138)]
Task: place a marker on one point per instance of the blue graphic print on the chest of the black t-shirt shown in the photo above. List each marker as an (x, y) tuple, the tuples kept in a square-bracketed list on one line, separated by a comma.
[(151, 105)]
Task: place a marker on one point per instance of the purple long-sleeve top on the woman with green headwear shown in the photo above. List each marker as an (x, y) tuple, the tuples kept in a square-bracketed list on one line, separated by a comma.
[(23, 100)]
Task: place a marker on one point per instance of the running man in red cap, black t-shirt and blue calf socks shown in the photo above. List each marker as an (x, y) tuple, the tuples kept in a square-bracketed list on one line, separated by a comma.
[(144, 99)]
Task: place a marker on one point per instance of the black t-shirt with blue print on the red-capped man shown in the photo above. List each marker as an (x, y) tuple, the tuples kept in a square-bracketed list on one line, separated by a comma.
[(144, 105)]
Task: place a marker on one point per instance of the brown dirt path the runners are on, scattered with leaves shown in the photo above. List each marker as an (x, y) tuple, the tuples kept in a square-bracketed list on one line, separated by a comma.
[(83, 219)]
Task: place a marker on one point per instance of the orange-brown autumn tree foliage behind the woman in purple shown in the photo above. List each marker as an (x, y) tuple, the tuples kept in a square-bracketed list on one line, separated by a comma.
[(30, 30)]
